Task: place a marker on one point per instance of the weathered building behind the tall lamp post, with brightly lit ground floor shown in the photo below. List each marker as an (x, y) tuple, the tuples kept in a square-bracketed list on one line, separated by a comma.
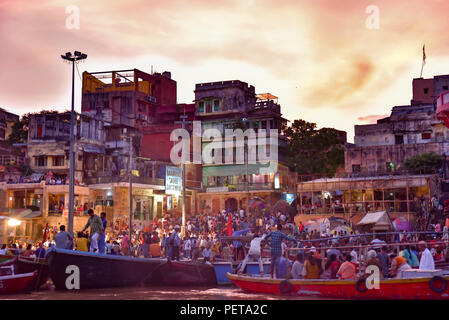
[(42, 197)]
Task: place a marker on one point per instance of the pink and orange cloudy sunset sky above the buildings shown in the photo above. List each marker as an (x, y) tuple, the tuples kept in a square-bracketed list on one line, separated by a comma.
[(317, 56)]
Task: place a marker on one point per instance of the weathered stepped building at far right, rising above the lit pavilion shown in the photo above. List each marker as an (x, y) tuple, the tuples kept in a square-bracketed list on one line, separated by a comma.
[(409, 130)]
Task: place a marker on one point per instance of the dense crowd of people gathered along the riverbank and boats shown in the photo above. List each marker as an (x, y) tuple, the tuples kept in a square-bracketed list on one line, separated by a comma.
[(294, 251)]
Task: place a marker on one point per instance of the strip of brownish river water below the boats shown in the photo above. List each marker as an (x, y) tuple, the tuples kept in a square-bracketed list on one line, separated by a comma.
[(146, 293)]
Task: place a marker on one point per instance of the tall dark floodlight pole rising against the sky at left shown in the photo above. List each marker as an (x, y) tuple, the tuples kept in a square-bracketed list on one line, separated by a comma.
[(77, 56)]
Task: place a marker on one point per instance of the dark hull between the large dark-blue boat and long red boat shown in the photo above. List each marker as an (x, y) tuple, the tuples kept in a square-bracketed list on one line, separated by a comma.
[(180, 273)]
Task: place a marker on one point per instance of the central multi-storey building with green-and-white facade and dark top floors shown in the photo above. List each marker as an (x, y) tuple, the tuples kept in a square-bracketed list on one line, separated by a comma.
[(230, 105)]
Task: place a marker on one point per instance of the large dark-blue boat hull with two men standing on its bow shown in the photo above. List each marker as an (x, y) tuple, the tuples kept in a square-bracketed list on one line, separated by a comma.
[(99, 270)]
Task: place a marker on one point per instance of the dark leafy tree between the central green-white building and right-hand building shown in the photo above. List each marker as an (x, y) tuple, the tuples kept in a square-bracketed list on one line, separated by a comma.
[(314, 151)]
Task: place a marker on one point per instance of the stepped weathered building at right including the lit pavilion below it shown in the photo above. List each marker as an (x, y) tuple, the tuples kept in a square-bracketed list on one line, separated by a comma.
[(377, 179)]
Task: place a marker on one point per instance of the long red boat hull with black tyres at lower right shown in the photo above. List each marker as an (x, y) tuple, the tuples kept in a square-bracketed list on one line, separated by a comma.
[(414, 288)]
